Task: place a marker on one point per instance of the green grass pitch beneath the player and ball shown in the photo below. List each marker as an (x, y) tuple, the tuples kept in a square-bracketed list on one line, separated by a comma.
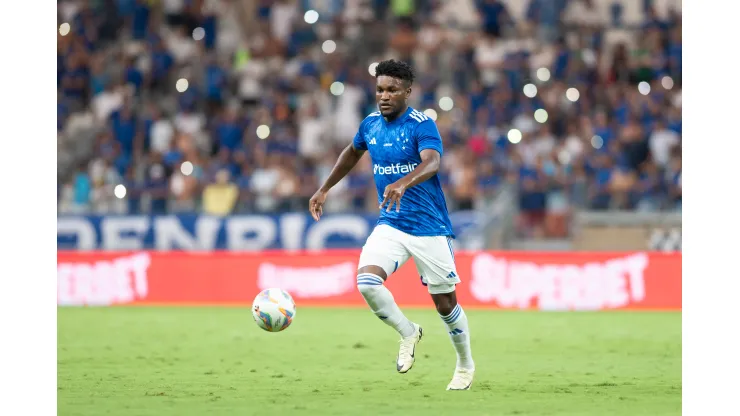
[(216, 361)]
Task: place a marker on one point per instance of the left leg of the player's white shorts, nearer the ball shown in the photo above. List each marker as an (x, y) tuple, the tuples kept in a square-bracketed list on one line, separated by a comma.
[(384, 248)]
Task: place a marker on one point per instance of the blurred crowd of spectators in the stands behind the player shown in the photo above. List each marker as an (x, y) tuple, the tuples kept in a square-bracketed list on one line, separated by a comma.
[(224, 106)]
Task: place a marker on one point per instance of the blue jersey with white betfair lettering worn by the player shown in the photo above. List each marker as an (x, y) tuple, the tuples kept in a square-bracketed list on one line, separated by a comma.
[(395, 149)]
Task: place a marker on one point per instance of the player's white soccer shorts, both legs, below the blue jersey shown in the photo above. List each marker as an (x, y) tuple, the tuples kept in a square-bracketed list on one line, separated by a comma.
[(389, 249)]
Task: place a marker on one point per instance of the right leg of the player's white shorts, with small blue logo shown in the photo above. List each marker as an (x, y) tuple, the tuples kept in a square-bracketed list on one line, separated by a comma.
[(435, 262)]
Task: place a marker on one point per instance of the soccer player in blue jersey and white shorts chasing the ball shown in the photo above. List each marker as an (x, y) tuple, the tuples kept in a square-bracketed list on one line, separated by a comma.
[(405, 149)]
